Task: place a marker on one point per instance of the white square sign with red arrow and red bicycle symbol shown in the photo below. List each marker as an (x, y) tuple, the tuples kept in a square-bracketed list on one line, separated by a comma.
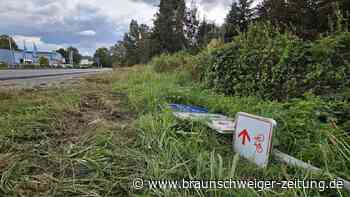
[(252, 139)]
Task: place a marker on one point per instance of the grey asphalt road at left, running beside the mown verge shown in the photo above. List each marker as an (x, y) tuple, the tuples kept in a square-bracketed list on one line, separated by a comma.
[(30, 78)]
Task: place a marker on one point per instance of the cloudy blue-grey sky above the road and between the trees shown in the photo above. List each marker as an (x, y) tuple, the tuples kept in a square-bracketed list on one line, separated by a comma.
[(85, 24)]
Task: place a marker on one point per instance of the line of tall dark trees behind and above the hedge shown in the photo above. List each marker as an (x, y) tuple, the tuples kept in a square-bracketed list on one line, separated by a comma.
[(177, 27)]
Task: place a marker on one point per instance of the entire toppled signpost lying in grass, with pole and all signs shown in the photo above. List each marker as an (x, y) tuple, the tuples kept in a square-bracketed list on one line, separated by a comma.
[(252, 136)]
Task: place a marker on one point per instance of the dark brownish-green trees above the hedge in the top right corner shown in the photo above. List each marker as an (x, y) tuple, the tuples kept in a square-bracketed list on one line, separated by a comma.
[(306, 18)]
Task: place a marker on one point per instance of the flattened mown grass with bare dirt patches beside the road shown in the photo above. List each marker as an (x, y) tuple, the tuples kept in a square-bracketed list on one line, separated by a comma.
[(77, 141)]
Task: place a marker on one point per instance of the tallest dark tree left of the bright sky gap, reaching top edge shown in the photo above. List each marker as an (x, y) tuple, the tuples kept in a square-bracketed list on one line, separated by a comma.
[(168, 32)]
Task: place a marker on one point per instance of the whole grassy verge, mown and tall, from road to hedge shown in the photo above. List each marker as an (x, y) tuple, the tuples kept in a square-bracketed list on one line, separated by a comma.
[(82, 141)]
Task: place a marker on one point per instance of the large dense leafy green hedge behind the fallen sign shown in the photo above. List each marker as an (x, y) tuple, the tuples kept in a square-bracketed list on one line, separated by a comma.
[(276, 65)]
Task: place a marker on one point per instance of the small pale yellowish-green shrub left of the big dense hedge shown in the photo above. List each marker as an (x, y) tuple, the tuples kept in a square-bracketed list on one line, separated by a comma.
[(168, 62)]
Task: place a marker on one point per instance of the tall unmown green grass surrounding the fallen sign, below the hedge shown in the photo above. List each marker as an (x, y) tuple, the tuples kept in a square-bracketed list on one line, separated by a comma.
[(176, 150)]
